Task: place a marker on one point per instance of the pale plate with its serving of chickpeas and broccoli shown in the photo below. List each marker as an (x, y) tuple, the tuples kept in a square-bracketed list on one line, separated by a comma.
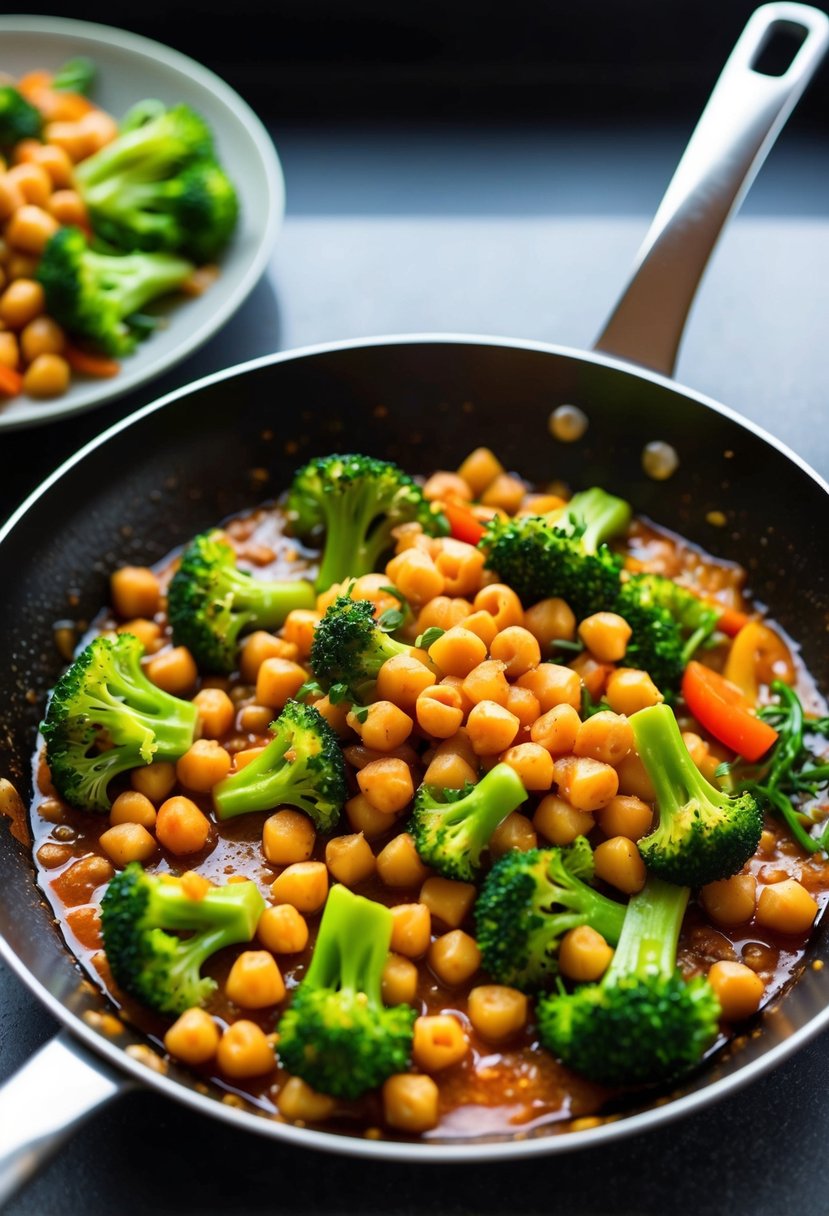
[(120, 148)]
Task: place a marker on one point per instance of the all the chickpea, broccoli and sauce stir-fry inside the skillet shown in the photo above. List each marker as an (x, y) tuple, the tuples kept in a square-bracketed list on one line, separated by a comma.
[(436, 807)]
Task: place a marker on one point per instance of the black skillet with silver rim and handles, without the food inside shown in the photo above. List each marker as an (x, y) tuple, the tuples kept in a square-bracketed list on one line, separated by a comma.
[(173, 468)]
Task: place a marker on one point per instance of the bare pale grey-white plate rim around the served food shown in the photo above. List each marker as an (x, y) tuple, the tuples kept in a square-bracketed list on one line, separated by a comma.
[(131, 69)]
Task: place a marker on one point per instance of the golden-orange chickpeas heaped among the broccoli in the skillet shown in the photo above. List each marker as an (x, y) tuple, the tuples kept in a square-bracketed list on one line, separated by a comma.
[(487, 690)]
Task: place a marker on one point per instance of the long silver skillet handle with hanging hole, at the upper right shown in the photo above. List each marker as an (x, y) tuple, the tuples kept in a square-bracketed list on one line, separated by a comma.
[(740, 125)]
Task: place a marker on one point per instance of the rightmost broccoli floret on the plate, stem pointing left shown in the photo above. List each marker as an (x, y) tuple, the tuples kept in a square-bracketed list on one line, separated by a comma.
[(193, 213)]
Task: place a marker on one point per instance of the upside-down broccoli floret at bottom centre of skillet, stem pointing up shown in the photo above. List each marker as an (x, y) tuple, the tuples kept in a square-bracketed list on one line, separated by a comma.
[(337, 1035)]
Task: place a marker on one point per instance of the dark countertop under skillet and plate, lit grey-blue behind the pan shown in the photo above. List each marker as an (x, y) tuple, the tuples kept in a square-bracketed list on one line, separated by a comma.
[(447, 233)]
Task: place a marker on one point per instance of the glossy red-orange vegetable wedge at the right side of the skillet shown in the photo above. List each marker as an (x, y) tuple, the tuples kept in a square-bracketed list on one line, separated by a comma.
[(726, 712)]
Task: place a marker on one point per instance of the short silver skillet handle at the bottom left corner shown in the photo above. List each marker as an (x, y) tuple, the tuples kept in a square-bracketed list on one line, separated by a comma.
[(44, 1104)]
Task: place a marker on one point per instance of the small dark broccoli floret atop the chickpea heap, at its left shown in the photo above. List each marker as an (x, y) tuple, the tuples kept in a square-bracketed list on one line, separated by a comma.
[(349, 648)]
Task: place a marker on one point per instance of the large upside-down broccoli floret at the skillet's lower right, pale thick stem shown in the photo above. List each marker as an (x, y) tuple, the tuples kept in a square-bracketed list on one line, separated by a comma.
[(644, 1023)]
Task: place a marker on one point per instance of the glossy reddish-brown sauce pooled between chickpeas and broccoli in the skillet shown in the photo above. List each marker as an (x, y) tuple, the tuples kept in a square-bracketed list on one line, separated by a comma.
[(494, 1093)]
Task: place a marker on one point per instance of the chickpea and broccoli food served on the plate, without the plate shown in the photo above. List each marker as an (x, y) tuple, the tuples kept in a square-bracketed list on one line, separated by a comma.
[(101, 217)]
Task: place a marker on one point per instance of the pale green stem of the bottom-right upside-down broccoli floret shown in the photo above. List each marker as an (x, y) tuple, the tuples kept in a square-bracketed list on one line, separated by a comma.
[(651, 932)]
